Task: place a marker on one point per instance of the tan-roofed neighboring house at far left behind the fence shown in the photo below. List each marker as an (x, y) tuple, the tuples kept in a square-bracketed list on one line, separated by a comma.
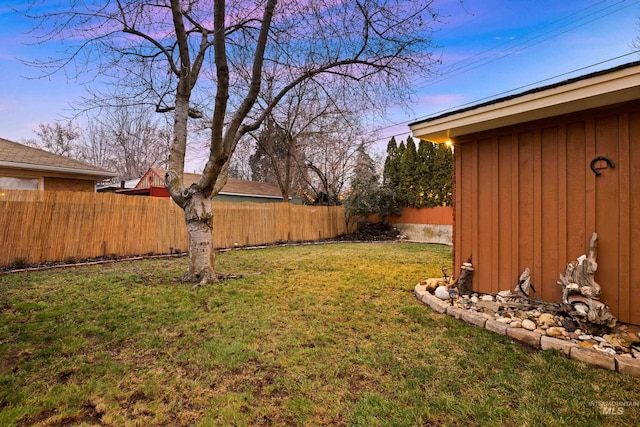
[(24, 167)]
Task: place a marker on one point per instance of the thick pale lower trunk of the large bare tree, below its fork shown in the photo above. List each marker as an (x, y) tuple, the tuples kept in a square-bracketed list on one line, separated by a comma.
[(199, 220)]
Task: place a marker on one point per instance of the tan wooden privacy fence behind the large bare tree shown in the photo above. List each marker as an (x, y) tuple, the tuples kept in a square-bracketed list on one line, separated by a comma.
[(54, 226)]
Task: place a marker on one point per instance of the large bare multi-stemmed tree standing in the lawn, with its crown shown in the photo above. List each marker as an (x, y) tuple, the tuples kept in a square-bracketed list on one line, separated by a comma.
[(194, 58)]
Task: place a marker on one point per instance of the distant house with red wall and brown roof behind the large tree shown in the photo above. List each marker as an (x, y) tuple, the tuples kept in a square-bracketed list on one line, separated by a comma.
[(235, 190)]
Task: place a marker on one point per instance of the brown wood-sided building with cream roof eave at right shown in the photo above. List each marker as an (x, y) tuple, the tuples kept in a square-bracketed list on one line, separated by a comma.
[(537, 173)]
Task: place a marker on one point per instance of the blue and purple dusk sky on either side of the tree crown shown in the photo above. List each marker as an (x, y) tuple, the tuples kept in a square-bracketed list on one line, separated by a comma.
[(488, 47)]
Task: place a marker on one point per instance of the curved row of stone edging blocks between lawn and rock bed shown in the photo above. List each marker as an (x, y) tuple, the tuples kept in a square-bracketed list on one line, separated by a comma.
[(625, 365)]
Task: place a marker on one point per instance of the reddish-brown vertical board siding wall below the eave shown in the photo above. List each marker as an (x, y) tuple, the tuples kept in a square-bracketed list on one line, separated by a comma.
[(525, 196)]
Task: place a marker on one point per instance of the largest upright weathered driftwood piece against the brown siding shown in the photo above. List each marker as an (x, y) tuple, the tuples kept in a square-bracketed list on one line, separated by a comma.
[(580, 291)]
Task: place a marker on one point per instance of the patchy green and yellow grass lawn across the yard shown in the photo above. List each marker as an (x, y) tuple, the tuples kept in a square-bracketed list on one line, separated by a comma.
[(326, 335)]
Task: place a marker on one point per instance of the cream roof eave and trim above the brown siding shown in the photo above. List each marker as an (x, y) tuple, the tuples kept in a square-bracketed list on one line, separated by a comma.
[(604, 89)]
